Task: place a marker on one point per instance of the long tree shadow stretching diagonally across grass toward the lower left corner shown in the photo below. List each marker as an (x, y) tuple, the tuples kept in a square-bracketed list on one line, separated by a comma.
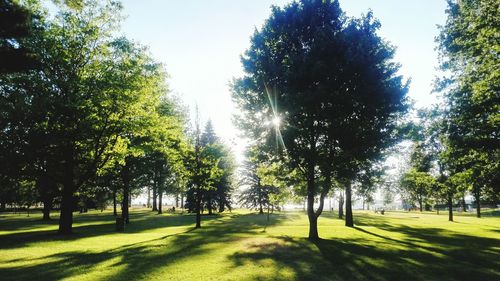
[(138, 259)]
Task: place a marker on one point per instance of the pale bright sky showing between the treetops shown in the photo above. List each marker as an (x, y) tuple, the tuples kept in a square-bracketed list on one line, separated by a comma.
[(200, 42)]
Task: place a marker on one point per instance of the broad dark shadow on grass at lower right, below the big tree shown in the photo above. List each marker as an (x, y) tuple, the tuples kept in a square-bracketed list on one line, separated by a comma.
[(438, 255)]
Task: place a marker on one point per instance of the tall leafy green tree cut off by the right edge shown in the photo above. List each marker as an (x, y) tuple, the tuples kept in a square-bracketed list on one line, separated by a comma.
[(471, 90)]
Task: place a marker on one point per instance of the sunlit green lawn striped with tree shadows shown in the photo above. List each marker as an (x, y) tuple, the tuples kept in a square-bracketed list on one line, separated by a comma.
[(243, 246)]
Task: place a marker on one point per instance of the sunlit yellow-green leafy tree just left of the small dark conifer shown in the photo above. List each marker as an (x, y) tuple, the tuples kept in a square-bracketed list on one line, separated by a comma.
[(155, 139)]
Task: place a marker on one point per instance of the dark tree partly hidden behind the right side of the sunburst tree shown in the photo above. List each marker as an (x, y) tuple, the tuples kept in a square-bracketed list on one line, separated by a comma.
[(374, 100)]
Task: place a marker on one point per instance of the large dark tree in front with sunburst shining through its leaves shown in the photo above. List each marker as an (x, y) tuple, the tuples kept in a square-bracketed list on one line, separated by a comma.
[(289, 58)]
